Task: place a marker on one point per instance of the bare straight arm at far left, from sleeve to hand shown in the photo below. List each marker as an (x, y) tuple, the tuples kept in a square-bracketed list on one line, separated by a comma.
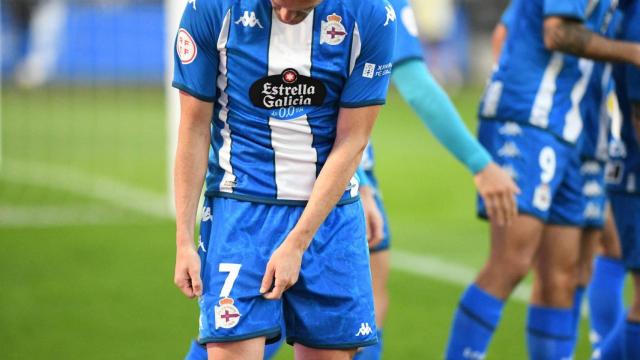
[(190, 167)]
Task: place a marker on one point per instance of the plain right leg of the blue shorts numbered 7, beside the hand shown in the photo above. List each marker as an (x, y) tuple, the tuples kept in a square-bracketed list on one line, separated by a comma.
[(331, 305)]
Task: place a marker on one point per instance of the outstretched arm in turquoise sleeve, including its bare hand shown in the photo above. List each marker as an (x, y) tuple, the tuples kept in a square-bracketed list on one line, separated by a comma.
[(433, 106)]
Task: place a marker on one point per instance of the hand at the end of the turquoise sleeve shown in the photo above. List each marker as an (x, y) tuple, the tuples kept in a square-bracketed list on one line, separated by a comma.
[(498, 191)]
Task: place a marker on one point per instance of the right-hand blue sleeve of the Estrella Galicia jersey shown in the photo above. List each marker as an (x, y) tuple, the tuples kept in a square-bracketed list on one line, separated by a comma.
[(371, 60)]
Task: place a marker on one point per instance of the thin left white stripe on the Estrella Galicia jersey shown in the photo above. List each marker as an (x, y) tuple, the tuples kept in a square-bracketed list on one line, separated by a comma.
[(224, 154)]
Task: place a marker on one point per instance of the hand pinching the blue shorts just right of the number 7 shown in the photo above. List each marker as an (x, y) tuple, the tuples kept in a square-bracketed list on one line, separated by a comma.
[(282, 269)]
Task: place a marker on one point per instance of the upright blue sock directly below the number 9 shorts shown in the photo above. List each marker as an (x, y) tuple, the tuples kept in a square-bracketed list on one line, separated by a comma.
[(550, 333)]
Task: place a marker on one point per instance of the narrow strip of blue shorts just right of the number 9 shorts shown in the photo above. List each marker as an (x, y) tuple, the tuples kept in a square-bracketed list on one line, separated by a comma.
[(593, 193)]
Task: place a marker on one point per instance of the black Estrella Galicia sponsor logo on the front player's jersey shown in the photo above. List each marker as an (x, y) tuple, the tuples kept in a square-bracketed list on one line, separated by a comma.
[(287, 89)]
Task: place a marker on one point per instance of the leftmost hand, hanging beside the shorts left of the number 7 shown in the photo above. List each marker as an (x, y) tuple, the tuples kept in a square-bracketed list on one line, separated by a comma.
[(187, 275)]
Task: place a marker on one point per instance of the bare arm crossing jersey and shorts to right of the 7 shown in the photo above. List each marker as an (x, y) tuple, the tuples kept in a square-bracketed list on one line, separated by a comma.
[(352, 135)]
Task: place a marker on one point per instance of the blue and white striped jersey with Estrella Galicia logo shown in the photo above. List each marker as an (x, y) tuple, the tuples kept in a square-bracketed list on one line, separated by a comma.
[(277, 88)]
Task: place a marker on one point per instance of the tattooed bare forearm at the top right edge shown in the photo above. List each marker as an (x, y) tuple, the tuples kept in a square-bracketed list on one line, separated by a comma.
[(571, 36)]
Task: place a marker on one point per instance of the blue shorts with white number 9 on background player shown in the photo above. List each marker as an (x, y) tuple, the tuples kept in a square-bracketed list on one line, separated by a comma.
[(546, 169)]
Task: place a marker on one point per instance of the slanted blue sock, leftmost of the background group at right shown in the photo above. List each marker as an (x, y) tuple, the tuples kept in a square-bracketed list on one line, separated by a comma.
[(474, 322)]
